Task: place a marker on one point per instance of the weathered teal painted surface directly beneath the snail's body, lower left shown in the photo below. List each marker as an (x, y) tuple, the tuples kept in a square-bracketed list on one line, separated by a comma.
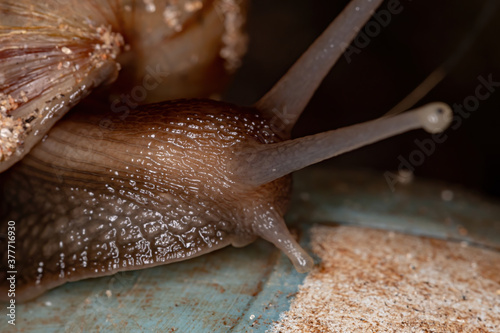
[(214, 293)]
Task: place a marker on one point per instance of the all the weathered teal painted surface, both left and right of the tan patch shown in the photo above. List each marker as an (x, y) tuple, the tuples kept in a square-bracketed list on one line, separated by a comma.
[(246, 289)]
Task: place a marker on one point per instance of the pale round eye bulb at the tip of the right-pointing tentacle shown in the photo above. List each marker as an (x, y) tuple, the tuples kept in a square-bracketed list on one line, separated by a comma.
[(435, 117)]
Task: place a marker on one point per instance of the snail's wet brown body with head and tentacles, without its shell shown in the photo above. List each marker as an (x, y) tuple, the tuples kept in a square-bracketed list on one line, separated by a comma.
[(178, 179)]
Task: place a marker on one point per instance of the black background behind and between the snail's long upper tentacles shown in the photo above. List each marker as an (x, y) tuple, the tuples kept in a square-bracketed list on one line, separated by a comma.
[(418, 40)]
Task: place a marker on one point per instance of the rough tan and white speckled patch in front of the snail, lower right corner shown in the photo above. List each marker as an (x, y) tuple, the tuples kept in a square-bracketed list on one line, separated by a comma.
[(380, 281)]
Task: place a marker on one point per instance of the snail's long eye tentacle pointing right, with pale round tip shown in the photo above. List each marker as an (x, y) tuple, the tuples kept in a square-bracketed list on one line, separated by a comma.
[(279, 159)]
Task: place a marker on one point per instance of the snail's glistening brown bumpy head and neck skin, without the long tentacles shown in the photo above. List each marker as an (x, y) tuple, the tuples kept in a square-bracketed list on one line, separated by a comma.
[(146, 191)]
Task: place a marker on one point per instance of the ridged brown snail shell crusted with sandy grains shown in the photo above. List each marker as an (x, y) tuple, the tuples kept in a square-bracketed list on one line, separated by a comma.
[(54, 53)]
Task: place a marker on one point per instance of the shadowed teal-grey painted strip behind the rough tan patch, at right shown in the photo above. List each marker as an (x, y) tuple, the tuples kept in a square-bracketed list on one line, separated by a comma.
[(326, 195)]
